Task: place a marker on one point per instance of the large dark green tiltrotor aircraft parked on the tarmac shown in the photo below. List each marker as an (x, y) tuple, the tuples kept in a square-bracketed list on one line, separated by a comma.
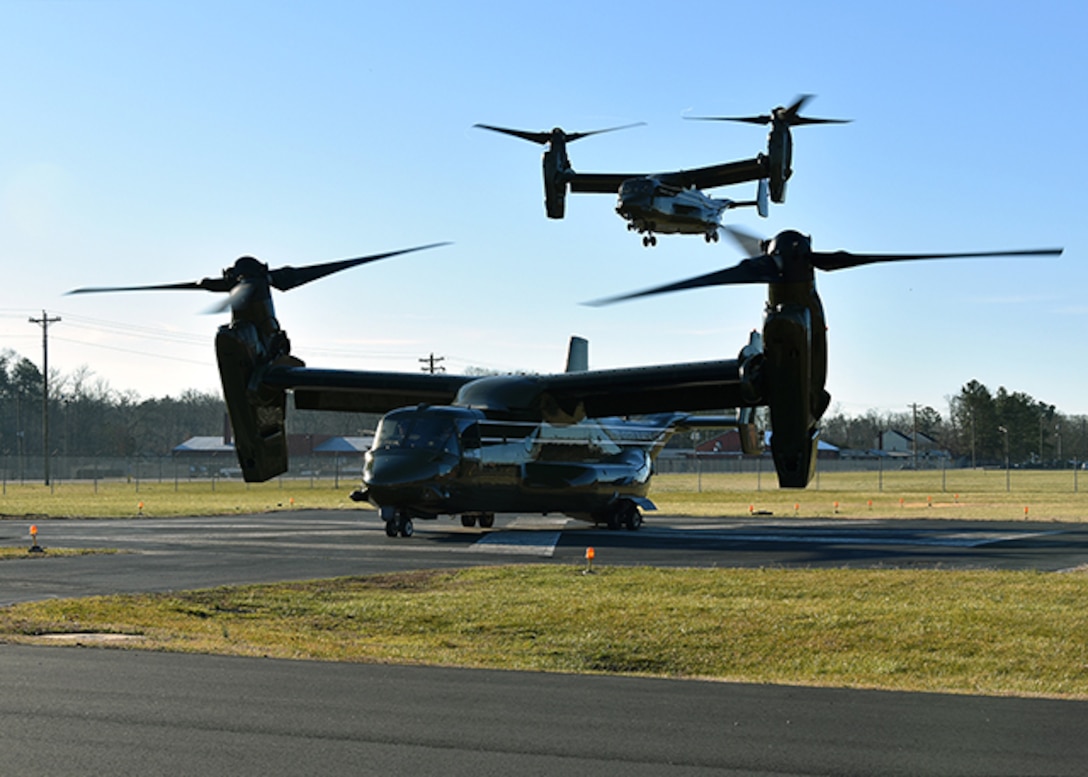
[(579, 442)]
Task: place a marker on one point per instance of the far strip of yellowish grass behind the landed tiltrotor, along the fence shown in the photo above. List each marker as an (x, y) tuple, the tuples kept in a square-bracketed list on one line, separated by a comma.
[(968, 495)]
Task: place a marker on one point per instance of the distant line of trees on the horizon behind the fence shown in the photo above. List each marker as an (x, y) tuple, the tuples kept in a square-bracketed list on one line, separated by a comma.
[(88, 417)]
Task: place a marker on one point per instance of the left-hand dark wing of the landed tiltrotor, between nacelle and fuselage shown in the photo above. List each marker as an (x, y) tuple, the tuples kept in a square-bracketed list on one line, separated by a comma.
[(363, 391)]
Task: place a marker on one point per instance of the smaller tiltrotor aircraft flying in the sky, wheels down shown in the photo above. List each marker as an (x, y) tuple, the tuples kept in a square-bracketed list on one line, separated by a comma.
[(674, 203)]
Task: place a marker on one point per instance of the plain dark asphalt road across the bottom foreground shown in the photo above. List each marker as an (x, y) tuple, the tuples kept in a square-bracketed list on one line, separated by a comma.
[(66, 711)]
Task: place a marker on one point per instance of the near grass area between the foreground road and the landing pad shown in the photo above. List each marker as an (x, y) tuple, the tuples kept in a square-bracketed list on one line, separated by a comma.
[(992, 633)]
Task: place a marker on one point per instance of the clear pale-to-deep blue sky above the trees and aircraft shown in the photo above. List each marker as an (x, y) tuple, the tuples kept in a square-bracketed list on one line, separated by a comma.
[(157, 142)]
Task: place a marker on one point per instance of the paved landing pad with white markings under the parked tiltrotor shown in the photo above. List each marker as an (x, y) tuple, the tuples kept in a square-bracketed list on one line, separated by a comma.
[(171, 554)]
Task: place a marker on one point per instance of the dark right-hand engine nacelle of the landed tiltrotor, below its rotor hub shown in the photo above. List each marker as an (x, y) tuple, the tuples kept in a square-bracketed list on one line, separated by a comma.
[(787, 336)]
